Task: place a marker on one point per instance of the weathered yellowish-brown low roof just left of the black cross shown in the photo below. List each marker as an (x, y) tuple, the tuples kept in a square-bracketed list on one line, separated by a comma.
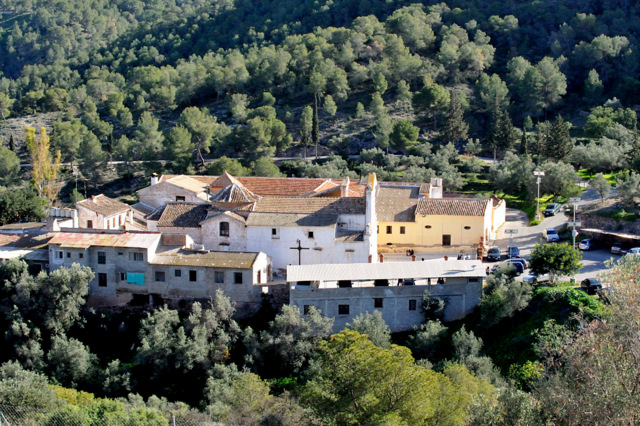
[(207, 259)]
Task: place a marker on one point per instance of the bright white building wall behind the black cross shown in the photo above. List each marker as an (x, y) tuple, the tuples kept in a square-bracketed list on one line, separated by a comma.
[(322, 248)]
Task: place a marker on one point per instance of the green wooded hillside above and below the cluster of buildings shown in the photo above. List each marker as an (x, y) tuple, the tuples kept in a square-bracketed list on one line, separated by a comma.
[(96, 96)]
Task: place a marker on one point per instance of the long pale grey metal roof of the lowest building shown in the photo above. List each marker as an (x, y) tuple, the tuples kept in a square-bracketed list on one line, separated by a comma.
[(386, 270)]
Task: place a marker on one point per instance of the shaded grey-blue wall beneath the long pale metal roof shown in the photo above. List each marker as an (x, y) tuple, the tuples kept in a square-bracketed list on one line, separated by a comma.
[(460, 299)]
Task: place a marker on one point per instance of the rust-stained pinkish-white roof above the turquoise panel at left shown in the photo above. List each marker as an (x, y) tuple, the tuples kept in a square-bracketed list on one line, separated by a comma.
[(89, 239)]
